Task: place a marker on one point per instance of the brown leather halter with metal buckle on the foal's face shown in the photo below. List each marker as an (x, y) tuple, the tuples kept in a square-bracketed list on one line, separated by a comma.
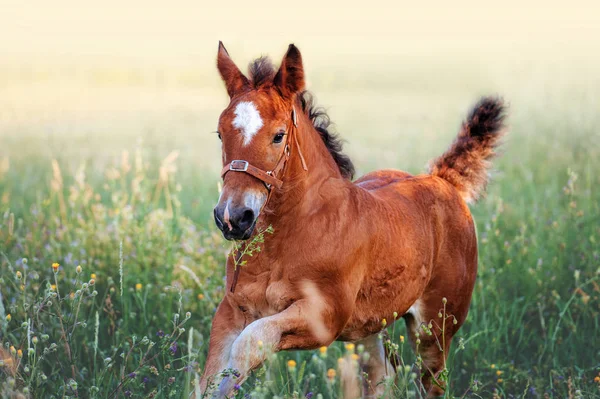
[(271, 178)]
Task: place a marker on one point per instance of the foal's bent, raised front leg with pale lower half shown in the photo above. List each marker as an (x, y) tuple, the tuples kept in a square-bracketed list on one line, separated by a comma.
[(300, 326)]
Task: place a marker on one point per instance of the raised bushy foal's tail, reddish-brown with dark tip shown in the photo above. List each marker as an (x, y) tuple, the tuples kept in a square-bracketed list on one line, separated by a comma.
[(465, 164)]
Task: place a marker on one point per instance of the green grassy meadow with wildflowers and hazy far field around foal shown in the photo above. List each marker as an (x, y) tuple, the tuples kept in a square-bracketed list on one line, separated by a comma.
[(111, 267)]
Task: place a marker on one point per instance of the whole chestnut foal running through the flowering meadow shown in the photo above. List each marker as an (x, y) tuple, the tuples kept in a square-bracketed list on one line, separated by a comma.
[(344, 255)]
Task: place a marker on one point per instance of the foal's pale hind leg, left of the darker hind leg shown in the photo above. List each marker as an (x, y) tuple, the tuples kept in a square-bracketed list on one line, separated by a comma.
[(378, 368)]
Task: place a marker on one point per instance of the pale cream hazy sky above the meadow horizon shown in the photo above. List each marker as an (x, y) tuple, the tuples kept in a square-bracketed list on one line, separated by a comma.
[(178, 30)]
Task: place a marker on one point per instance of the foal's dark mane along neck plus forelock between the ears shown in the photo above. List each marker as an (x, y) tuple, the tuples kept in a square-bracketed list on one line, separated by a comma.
[(262, 72)]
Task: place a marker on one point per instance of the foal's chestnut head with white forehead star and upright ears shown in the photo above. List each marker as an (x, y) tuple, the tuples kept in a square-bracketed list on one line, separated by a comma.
[(254, 128)]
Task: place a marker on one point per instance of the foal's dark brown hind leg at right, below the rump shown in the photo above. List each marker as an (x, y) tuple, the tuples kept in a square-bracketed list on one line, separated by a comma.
[(433, 348)]
